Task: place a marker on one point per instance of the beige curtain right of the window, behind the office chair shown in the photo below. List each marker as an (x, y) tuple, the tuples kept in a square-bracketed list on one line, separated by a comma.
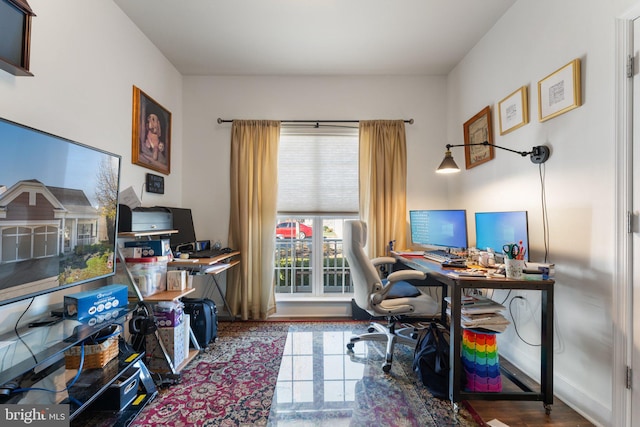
[(383, 182)]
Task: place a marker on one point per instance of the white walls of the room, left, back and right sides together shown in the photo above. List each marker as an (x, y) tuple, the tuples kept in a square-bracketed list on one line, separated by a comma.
[(86, 56)]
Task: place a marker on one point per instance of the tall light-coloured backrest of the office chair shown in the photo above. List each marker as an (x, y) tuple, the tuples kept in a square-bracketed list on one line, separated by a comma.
[(366, 279)]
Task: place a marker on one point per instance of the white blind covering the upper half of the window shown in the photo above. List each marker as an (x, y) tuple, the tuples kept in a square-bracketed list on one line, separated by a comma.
[(318, 171)]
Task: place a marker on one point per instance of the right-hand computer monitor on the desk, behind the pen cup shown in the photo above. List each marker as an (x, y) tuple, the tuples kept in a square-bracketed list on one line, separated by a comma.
[(496, 229)]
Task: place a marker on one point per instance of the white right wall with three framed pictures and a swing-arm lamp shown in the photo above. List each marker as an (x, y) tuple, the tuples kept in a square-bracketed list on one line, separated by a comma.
[(532, 40)]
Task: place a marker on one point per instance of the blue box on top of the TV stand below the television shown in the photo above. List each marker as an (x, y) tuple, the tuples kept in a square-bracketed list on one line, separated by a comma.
[(87, 304)]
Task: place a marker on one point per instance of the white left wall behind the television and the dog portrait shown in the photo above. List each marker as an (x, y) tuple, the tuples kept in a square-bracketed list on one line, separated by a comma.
[(86, 57)]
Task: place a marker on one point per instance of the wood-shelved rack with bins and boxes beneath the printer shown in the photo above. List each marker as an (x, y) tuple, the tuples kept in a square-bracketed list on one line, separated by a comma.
[(160, 359)]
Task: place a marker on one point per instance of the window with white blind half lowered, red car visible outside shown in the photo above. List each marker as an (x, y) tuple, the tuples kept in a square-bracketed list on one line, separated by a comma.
[(317, 191)]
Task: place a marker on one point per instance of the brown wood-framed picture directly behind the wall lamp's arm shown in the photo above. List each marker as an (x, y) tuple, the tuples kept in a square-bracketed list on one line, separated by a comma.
[(476, 131)]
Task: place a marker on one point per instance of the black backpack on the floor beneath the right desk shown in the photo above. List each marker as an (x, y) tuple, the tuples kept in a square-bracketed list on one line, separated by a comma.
[(431, 360)]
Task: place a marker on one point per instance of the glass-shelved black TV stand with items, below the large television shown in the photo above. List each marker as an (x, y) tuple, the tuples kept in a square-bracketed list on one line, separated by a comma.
[(35, 367)]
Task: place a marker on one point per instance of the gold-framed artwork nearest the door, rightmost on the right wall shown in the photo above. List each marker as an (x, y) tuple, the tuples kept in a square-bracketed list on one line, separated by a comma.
[(559, 92)]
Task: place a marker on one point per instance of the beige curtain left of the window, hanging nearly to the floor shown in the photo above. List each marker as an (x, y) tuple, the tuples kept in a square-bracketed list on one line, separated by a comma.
[(254, 184)]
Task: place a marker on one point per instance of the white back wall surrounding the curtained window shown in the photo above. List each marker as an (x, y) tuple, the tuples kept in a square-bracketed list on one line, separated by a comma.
[(207, 143)]
